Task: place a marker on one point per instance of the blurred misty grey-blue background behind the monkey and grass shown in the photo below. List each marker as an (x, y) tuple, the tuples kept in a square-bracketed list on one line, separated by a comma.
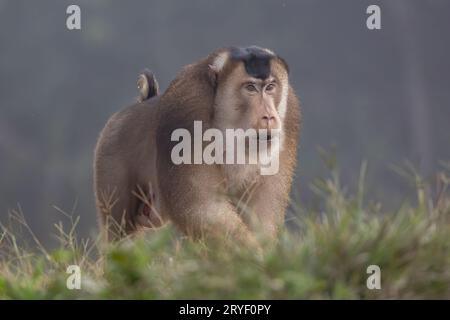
[(381, 96)]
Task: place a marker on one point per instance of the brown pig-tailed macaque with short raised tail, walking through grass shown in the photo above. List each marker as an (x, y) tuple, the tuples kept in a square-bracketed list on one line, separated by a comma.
[(175, 156)]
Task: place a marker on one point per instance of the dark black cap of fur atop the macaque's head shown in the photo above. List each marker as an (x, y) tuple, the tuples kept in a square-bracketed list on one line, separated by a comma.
[(256, 60)]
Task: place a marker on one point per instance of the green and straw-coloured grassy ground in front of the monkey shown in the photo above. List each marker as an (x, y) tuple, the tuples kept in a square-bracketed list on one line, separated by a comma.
[(326, 258)]
